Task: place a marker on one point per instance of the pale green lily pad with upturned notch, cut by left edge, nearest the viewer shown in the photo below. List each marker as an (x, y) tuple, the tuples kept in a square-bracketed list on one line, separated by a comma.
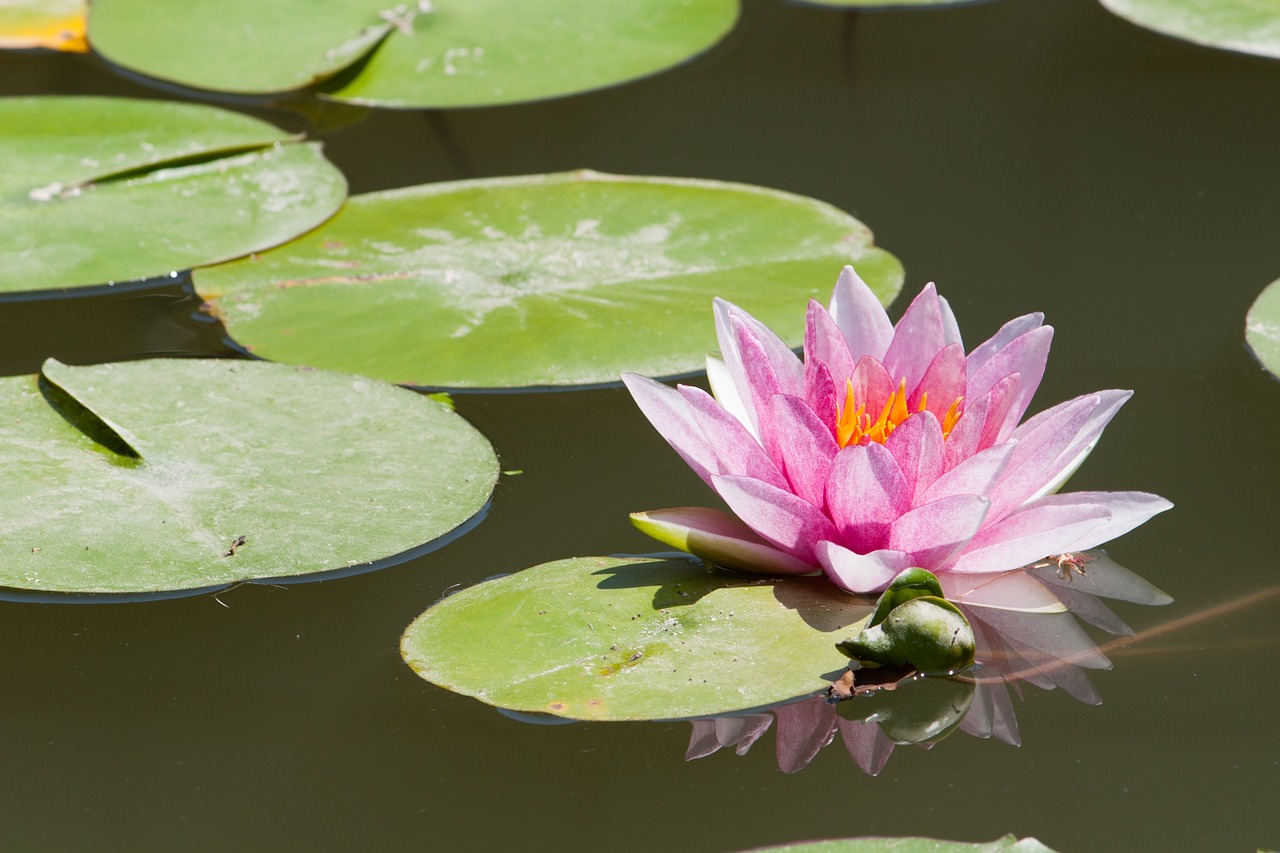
[(188, 475)]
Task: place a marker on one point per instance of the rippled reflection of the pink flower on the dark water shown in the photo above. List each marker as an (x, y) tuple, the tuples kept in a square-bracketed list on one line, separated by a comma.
[(1048, 650)]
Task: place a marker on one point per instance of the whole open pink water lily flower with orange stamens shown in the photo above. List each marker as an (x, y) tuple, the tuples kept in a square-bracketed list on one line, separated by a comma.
[(886, 448)]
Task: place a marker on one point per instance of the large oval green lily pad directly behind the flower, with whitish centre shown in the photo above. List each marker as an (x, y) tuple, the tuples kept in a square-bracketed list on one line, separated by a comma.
[(560, 280)]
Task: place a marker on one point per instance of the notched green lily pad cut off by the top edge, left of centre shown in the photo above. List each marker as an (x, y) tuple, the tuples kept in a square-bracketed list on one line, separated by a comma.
[(446, 53)]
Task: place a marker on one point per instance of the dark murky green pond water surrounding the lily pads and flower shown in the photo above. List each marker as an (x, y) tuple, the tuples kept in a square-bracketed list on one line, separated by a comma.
[(1027, 156)]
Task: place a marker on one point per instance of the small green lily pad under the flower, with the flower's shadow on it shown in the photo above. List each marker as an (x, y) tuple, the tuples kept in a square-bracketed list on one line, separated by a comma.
[(616, 638)]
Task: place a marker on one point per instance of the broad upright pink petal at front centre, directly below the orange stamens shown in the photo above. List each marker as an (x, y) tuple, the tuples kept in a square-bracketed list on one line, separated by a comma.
[(866, 492)]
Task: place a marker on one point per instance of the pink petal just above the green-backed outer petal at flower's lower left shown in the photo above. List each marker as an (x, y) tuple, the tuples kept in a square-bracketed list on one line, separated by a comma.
[(790, 523)]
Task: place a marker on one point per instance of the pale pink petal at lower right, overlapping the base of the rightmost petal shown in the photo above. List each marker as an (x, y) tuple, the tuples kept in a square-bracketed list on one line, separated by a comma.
[(1028, 535)]
